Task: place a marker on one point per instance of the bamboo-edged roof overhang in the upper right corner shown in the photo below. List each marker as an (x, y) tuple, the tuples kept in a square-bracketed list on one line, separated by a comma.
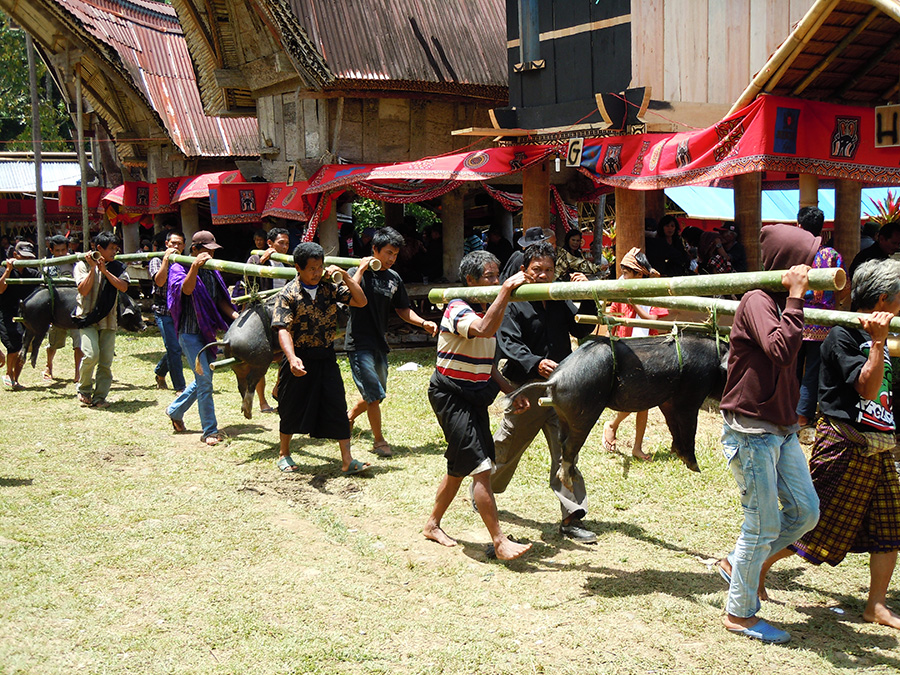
[(842, 51)]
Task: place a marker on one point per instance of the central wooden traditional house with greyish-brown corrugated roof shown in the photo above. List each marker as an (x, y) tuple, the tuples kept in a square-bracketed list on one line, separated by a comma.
[(367, 81)]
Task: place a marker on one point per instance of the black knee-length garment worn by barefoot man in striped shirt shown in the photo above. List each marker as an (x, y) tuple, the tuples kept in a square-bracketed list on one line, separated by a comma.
[(463, 416)]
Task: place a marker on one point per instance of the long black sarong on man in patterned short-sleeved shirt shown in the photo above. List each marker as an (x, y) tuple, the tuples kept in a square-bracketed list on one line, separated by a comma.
[(315, 403)]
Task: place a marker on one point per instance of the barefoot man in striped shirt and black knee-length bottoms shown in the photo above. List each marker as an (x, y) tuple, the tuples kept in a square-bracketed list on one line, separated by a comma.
[(463, 385)]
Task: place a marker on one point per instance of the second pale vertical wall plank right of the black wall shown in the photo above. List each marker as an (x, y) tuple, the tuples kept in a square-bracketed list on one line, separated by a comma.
[(686, 30)]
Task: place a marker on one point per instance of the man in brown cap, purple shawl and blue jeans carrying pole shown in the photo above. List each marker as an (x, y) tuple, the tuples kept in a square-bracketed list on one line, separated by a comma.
[(199, 305)]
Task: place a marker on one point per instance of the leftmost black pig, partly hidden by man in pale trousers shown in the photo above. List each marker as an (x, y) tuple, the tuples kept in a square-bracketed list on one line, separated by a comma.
[(38, 313)]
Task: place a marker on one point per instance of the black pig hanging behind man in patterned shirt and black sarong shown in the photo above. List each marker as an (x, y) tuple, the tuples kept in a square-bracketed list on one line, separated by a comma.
[(251, 340)]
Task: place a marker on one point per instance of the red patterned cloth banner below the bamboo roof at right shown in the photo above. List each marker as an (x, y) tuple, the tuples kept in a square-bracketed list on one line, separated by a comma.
[(773, 133)]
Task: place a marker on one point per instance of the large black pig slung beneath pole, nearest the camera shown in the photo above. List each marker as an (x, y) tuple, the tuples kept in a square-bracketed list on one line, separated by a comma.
[(674, 374)]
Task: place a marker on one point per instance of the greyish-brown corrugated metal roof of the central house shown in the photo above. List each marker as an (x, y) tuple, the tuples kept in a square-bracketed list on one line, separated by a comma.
[(447, 43)]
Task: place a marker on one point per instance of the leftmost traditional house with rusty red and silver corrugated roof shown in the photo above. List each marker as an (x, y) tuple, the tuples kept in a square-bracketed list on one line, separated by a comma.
[(129, 62)]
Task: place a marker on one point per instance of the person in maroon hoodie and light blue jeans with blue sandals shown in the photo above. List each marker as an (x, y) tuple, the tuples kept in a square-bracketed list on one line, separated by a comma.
[(759, 436)]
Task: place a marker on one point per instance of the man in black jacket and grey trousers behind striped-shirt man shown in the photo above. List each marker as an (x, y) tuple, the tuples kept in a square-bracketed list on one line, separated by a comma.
[(534, 338)]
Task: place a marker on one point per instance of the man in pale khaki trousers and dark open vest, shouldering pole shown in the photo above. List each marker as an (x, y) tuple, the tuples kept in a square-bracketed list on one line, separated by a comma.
[(99, 283)]
